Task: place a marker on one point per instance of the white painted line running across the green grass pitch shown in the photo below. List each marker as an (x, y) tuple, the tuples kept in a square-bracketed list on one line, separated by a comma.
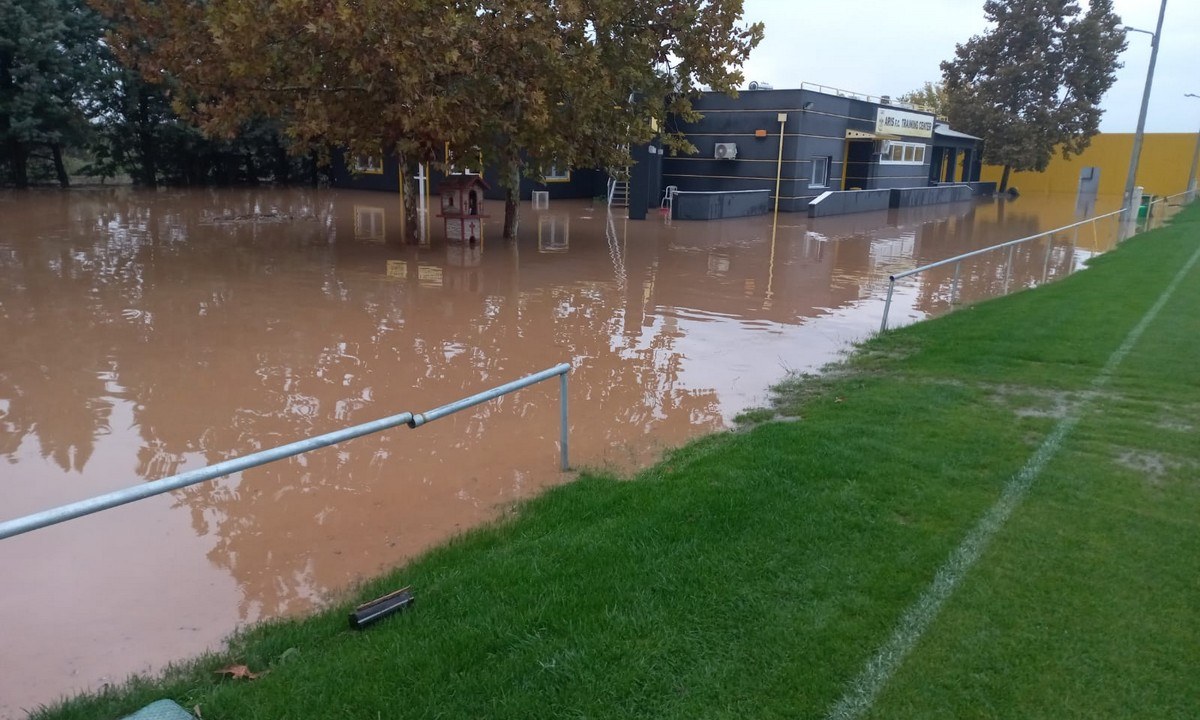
[(861, 695)]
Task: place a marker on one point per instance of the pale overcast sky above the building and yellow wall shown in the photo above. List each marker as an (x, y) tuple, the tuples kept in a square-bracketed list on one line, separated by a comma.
[(884, 47)]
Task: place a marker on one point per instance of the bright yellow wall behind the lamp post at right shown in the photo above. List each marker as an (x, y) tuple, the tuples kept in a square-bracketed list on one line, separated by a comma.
[(1163, 169)]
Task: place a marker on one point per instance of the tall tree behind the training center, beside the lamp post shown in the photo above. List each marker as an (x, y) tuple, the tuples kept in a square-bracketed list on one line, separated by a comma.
[(1033, 85)]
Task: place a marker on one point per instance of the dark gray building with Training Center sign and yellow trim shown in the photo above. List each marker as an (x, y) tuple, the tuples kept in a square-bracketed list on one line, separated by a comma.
[(832, 142)]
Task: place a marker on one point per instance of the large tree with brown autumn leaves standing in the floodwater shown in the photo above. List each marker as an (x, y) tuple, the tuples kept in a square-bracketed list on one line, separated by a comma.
[(531, 83)]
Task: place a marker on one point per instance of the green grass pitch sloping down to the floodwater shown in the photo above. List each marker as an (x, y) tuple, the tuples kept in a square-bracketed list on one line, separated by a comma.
[(754, 574)]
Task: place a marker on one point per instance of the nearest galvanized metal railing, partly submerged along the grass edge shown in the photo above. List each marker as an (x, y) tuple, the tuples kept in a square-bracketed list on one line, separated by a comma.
[(121, 497)]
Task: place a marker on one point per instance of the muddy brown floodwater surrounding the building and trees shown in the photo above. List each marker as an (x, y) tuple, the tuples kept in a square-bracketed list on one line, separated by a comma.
[(143, 334)]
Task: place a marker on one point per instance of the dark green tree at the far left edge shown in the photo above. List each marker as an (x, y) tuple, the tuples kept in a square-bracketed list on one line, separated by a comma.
[(50, 71)]
